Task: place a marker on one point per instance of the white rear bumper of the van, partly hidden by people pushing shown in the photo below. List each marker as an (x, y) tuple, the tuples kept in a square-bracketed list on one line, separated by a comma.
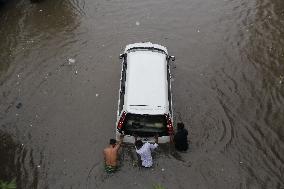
[(131, 139)]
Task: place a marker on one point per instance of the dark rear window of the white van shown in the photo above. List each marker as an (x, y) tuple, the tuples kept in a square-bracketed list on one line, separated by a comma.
[(145, 125)]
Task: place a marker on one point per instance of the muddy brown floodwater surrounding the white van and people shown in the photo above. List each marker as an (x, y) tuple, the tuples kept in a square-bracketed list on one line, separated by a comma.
[(59, 82)]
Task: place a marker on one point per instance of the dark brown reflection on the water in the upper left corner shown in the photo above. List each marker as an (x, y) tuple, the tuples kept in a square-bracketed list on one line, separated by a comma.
[(25, 25)]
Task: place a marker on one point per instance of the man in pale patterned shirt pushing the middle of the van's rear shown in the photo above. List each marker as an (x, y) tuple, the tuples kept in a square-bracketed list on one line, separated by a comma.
[(144, 150)]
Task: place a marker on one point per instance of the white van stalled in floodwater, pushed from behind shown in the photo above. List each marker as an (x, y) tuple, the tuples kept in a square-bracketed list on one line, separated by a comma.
[(145, 99)]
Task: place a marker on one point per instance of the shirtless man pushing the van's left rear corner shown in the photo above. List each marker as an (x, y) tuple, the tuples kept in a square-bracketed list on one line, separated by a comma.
[(110, 155)]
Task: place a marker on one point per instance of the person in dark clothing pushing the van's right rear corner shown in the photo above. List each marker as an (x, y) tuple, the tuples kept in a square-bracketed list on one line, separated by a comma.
[(180, 138)]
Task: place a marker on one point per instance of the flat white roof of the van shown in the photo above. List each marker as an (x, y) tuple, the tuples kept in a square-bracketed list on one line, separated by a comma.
[(146, 86)]
